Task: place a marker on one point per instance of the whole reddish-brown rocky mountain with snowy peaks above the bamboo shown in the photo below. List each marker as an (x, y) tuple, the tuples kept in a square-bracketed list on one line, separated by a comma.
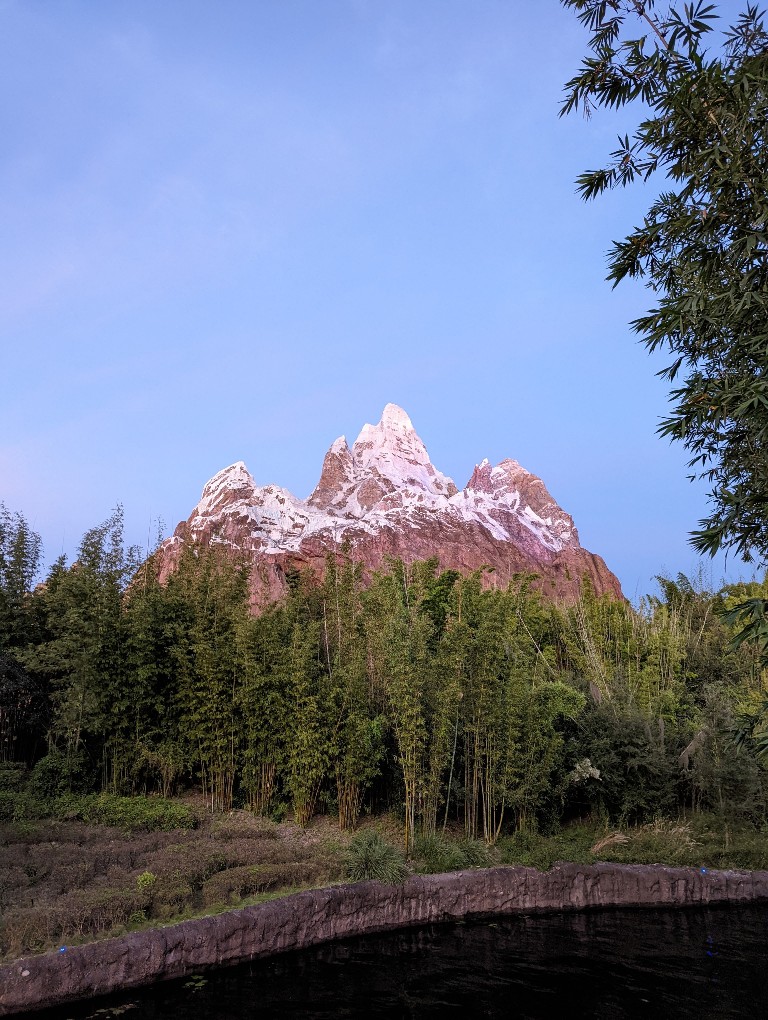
[(384, 497)]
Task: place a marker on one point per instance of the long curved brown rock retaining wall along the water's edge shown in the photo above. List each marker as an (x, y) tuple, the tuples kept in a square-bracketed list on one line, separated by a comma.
[(321, 915)]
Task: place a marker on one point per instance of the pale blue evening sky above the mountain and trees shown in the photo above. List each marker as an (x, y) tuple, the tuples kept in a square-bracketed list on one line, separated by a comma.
[(235, 231)]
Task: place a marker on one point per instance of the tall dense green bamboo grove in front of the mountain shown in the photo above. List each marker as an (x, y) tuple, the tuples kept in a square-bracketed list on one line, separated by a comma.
[(440, 697)]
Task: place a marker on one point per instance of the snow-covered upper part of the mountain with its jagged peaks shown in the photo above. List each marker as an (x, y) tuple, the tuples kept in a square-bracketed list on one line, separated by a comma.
[(386, 480)]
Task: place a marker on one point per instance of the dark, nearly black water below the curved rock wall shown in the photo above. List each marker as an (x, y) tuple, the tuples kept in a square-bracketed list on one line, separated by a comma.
[(607, 964)]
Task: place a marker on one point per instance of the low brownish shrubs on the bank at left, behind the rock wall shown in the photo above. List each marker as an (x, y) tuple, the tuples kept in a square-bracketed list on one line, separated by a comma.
[(66, 882)]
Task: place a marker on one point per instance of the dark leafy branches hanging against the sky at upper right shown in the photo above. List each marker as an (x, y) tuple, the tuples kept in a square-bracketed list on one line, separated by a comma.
[(702, 247)]
